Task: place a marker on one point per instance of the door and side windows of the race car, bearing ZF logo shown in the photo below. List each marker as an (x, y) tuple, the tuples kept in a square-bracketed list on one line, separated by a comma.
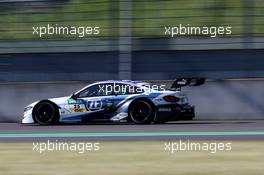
[(102, 96)]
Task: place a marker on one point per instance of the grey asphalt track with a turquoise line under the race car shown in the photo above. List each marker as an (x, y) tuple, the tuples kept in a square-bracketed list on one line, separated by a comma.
[(184, 130)]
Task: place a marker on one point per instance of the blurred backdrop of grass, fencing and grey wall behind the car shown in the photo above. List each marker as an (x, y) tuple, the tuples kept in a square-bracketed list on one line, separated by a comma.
[(132, 45)]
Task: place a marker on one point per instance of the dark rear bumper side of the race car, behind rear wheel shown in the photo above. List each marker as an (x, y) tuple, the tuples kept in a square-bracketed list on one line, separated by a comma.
[(174, 112)]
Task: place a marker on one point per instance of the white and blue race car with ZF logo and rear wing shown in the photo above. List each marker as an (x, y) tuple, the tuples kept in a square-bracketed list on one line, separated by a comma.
[(116, 101)]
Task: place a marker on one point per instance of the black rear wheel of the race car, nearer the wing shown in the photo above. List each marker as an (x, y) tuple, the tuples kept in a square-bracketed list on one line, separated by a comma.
[(141, 112)]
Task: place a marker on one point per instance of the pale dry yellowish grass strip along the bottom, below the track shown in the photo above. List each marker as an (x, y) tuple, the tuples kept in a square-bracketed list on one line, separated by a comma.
[(119, 158)]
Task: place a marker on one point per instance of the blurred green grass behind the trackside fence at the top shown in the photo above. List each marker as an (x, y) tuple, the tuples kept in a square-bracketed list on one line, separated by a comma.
[(149, 17)]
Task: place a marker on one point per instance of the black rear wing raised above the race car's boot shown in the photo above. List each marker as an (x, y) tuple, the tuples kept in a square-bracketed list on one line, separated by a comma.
[(180, 82)]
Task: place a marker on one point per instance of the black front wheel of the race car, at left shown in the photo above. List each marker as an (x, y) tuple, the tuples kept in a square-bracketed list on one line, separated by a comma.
[(46, 113)]
